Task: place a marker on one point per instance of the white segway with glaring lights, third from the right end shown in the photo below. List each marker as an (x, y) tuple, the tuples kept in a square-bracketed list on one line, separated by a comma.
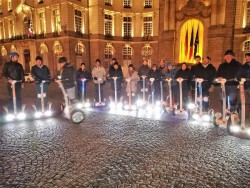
[(197, 112)]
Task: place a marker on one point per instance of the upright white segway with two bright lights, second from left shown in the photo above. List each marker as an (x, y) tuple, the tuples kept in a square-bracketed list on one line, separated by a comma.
[(42, 112)]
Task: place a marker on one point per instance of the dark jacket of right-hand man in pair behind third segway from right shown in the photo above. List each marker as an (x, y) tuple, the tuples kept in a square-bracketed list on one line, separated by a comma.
[(207, 73)]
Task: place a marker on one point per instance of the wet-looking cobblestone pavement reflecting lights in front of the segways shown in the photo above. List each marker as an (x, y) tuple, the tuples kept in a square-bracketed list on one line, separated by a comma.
[(108, 150)]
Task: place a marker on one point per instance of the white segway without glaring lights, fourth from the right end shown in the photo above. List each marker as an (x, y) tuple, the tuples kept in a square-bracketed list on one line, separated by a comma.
[(180, 111)]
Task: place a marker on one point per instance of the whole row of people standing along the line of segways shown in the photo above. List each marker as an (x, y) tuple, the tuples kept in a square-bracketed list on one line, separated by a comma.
[(141, 79)]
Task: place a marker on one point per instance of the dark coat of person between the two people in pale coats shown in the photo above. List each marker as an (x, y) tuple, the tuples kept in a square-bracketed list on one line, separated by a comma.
[(116, 73)]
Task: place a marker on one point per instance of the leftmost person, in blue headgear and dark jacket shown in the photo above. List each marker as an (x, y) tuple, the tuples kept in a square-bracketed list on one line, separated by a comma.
[(14, 71)]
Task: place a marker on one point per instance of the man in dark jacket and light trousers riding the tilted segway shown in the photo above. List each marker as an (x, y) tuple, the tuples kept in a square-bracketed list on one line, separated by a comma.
[(68, 78)]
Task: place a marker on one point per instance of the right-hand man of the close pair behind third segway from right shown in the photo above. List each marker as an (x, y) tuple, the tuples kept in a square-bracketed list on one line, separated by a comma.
[(207, 72)]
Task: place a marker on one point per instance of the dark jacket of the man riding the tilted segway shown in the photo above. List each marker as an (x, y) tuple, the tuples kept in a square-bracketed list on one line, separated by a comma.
[(68, 76)]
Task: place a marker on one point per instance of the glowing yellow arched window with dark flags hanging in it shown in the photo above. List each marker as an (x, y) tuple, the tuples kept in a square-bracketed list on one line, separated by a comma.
[(191, 40)]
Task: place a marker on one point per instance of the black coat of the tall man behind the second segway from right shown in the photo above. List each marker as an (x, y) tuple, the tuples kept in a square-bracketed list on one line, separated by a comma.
[(229, 71)]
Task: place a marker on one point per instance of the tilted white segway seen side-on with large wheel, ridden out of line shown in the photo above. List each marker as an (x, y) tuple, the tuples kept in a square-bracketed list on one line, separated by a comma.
[(69, 110)]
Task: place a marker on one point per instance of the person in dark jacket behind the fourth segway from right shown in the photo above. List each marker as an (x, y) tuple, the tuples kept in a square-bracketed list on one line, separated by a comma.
[(184, 73)]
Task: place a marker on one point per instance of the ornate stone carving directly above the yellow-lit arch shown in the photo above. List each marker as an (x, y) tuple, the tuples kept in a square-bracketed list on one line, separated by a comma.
[(193, 7)]
